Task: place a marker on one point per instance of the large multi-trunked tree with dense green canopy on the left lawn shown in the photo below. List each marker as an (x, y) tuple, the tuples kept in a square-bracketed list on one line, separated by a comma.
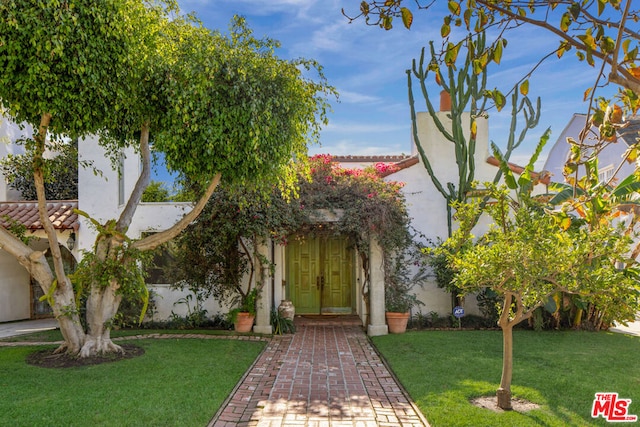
[(217, 106)]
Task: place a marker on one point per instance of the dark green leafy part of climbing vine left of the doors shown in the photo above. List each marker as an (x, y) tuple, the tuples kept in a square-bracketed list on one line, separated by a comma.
[(218, 250)]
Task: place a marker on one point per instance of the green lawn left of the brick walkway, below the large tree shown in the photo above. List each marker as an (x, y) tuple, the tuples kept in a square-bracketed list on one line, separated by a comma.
[(177, 382)]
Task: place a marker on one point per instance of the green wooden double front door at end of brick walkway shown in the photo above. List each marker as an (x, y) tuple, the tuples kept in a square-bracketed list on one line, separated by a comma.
[(320, 275)]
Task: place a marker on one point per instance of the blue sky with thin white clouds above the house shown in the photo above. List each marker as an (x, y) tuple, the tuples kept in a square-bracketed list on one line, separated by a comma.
[(367, 66)]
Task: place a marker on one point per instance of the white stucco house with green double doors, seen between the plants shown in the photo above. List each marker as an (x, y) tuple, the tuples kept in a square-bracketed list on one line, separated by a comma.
[(102, 196)]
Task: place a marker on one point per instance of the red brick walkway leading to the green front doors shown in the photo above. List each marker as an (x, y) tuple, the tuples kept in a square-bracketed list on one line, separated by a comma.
[(327, 374)]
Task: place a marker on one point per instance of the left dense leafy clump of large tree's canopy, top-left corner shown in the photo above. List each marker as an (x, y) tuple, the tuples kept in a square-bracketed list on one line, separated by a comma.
[(62, 59)]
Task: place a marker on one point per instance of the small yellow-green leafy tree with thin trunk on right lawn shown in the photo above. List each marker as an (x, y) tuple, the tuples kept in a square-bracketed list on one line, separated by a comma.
[(528, 255)]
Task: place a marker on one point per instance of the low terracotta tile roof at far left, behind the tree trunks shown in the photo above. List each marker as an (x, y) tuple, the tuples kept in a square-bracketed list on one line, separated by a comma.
[(60, 213)]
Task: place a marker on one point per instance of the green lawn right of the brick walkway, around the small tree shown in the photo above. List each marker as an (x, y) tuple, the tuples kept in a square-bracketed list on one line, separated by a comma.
[(561, 371)]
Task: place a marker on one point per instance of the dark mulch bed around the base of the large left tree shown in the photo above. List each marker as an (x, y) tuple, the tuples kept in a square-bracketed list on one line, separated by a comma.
[(46, 358)]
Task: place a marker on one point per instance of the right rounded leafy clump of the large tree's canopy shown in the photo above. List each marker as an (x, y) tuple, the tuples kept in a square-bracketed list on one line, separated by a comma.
[(257, 111)]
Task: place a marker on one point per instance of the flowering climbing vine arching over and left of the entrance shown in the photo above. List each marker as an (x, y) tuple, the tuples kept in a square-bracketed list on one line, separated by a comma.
[(219, 248)]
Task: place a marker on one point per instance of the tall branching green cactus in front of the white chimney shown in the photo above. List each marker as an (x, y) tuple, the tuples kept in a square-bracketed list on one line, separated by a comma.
[(466, 86)]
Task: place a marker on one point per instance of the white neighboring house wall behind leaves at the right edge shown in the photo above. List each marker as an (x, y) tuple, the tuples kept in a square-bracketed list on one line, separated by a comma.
[(608, 159)]
